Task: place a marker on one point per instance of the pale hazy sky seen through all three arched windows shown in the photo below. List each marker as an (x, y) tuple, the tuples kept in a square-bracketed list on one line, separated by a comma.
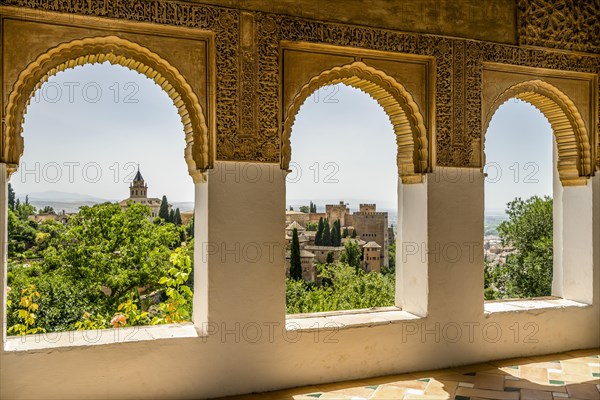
[(88, 128)]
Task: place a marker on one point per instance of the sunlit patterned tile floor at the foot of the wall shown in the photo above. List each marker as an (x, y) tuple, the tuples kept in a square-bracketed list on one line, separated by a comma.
[(571, 375)]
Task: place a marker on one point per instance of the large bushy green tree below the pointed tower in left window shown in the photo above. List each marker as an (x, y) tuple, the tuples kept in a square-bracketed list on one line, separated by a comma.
[(113, 251)]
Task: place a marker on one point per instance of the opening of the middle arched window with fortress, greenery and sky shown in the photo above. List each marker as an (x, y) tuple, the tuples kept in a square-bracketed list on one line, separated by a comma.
[(340, 137)]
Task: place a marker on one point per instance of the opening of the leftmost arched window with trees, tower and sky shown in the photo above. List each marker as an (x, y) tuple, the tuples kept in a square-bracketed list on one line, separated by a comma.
[(85, 132)]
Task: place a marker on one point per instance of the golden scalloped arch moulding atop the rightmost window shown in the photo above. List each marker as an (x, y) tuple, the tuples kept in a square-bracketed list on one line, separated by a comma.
[(575, 161)]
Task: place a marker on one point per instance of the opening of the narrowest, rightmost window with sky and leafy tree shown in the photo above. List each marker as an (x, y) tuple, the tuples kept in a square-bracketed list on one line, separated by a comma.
[(518, 241)]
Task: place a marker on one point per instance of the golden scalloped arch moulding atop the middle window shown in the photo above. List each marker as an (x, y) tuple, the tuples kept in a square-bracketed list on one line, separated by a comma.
[(403, 112)]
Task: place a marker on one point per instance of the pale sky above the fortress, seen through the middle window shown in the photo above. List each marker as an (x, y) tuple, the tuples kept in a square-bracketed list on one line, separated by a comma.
[(343, 148)]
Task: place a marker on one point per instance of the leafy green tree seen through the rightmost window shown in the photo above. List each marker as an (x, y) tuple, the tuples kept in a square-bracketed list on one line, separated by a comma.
[(528, 271)]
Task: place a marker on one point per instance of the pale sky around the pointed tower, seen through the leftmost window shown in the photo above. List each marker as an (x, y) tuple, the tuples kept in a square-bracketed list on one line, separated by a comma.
[(80, 140)]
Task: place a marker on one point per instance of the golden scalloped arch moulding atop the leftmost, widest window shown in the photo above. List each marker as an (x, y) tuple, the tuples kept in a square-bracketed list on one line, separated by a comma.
[(118, 51)]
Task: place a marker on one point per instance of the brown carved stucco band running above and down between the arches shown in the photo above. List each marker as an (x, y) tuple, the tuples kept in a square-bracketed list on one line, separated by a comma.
[(247, 62)]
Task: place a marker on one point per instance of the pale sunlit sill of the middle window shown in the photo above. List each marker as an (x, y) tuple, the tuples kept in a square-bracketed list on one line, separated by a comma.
[(336, 320)]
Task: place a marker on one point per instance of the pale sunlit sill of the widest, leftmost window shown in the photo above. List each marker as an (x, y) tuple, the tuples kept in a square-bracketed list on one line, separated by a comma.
[(46, 341)]
